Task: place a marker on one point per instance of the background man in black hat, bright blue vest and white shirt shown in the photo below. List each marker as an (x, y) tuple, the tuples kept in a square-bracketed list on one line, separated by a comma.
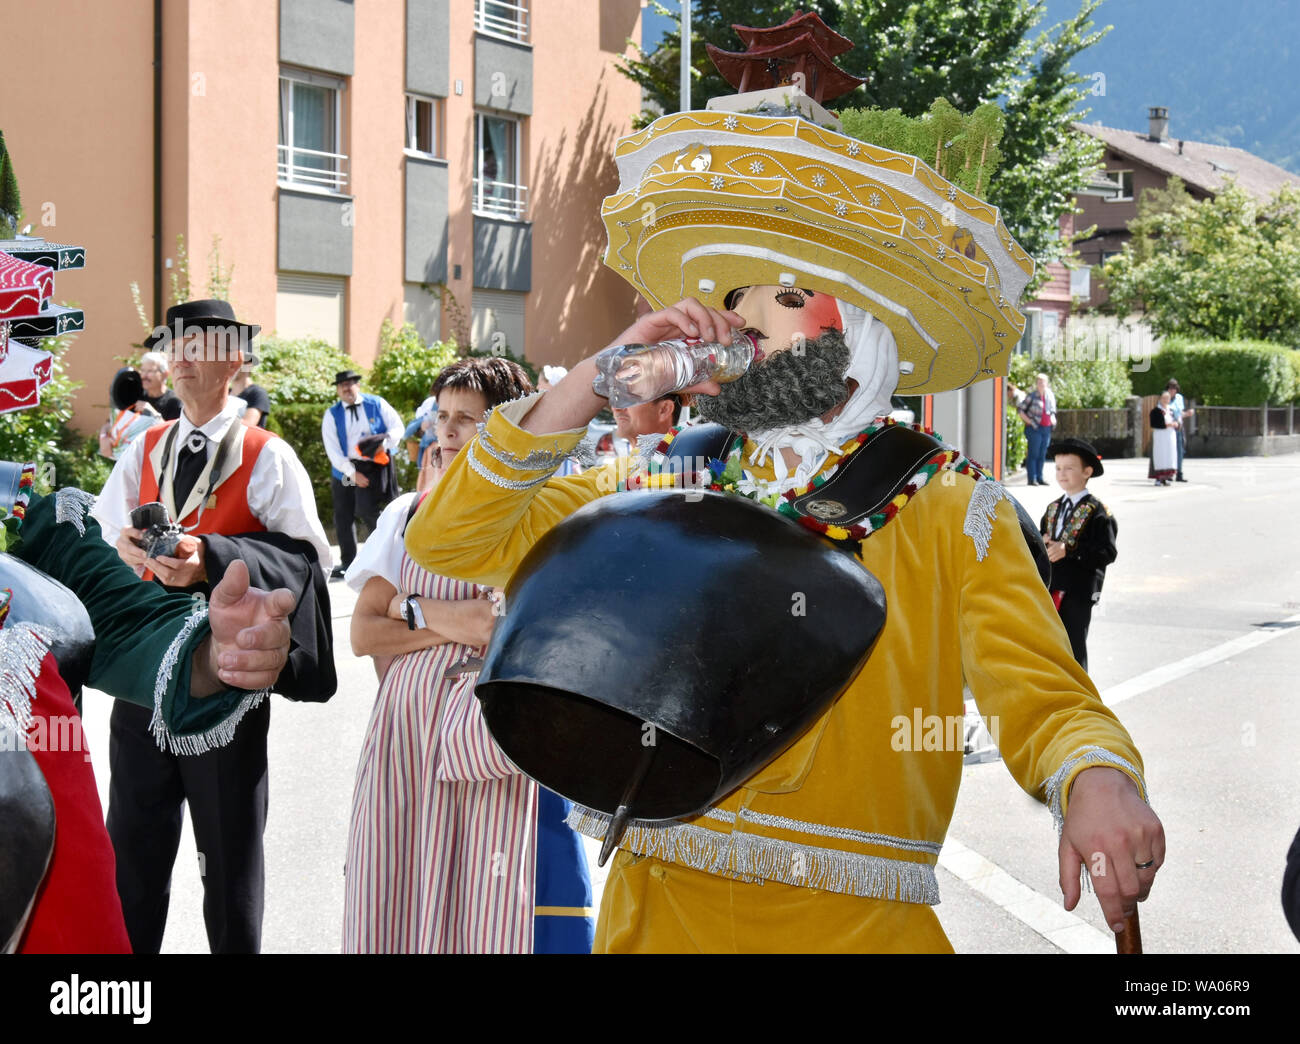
[(361, 432)]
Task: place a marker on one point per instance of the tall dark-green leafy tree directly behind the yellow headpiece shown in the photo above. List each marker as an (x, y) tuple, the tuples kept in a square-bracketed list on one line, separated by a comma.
[(912, 53)]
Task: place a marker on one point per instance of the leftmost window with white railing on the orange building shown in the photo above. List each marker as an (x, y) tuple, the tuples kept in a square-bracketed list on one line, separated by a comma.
[(311, 122)]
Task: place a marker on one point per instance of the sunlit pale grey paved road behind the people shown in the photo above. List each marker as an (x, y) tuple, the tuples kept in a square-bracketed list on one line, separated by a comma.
[(1202, 569)]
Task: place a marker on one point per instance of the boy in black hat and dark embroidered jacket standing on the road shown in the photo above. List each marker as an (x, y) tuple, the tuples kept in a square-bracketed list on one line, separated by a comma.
[(1080, 534)]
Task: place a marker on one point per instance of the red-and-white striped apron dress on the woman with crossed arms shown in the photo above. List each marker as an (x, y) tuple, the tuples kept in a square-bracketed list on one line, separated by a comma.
[(441, 852)]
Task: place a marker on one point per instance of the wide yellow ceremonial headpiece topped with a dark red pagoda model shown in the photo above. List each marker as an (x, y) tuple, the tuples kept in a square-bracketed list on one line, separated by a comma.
[(734, 196)]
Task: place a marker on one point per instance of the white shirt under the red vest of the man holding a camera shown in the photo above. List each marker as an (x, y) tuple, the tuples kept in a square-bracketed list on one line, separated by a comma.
[(280, 493)]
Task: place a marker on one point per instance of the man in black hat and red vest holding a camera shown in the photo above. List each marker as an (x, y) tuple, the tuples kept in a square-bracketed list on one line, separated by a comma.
[(237, 493)]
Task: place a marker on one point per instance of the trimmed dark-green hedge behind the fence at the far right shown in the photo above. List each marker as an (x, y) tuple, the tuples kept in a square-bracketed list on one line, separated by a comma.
[(1225, 372)]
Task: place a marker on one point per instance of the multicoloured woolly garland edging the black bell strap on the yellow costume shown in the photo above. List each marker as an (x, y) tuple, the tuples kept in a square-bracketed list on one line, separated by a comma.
[(729, 478)]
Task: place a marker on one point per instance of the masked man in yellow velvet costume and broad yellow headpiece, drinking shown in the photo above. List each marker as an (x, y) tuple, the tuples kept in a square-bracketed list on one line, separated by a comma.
[(860, 272)]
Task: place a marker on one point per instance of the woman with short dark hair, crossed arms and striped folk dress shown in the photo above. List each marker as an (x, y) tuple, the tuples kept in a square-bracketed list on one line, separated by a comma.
[(443, 838)]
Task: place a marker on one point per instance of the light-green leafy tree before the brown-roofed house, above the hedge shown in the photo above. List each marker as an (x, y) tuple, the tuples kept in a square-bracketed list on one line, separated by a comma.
[(1225, 268)]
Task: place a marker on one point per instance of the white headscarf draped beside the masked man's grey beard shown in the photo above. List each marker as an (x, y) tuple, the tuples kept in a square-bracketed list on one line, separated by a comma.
[(874, 365)]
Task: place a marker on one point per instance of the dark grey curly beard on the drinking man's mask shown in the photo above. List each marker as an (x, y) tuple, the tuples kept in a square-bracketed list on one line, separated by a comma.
[(785, 389)]
